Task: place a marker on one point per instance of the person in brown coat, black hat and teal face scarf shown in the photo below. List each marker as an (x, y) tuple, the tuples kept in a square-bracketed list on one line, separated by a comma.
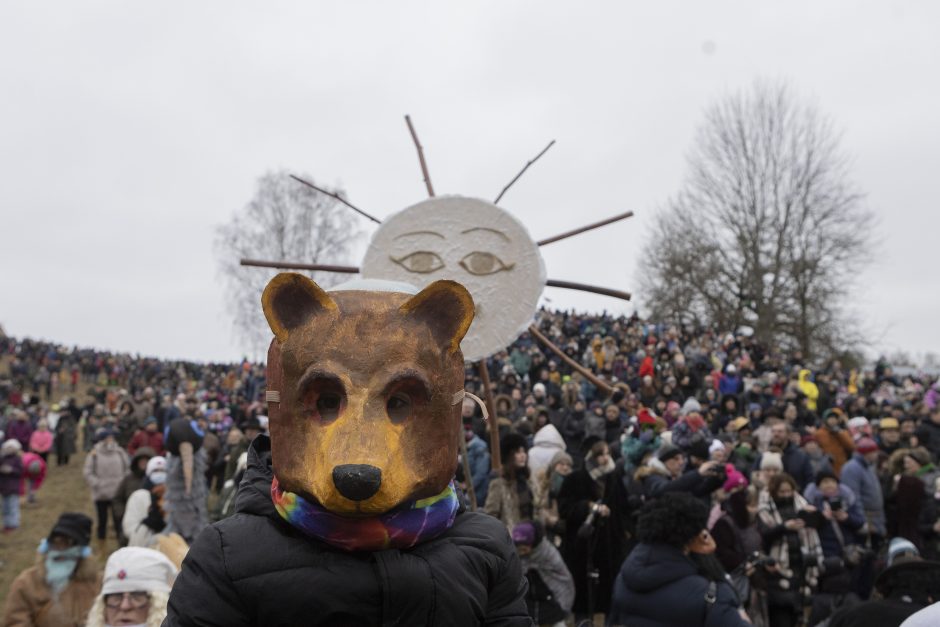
[(59, 590)]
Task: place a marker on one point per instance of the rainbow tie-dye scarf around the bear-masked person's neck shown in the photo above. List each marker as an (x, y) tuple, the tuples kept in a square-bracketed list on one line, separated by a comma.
[(401, 528)]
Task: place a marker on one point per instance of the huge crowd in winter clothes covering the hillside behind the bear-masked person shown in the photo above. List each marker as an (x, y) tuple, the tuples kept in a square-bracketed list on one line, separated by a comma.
[(703, 479)]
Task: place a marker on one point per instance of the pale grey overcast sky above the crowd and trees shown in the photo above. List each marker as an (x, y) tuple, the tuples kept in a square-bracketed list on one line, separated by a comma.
[(128, 131)]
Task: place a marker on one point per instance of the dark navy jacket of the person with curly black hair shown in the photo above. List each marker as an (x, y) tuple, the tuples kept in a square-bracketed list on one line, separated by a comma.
[(658, 586)]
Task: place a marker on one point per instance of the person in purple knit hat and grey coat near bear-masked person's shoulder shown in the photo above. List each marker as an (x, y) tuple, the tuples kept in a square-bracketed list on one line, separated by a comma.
[(551, 588)]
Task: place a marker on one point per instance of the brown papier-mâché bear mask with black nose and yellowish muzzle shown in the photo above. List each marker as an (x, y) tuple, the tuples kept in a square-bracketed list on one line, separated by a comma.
[(367, 418)]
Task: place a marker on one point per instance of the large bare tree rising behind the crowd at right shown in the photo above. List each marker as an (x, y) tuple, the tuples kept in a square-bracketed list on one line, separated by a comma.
[(767, 230)]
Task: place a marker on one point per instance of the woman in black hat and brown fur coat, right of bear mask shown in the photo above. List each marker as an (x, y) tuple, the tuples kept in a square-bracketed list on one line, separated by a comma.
[(511, 496)]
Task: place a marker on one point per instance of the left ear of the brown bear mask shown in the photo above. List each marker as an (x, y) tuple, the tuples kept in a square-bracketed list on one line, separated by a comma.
[(289, 300)]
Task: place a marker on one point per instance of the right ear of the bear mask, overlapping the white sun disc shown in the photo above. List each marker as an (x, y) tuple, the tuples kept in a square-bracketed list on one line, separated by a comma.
[(444, 306)]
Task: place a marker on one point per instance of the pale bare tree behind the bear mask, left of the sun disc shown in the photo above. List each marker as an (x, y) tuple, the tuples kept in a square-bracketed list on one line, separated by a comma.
[(284, 220)]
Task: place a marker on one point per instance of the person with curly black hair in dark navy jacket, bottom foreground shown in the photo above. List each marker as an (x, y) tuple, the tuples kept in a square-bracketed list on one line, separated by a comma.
[(670, 578)]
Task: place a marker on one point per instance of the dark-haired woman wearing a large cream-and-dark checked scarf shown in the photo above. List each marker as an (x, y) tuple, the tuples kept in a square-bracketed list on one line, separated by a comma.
[(788, 524)]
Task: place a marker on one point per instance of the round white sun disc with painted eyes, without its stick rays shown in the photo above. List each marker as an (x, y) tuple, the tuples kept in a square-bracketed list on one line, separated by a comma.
[(475, 243)]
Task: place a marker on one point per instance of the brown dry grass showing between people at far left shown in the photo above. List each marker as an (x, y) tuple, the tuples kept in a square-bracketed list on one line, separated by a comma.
[(64, 490)]
